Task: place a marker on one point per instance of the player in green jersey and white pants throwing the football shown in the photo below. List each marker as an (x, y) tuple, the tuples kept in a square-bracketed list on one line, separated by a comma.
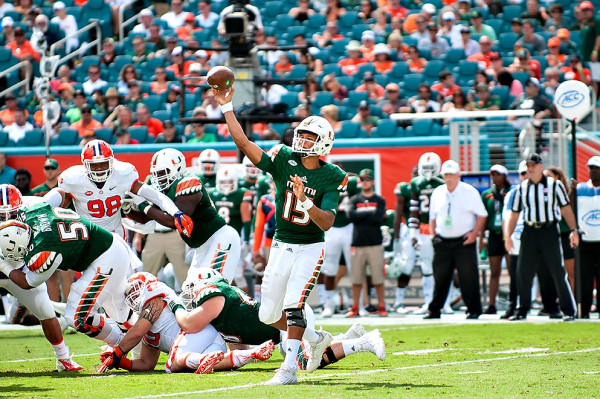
[(306, 198)]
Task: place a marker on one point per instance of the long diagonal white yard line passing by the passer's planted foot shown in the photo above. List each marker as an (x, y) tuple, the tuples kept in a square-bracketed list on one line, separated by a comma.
[(322, 376)]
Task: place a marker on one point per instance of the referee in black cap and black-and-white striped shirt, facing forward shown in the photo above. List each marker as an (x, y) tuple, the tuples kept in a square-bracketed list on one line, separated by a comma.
[(543, 200)]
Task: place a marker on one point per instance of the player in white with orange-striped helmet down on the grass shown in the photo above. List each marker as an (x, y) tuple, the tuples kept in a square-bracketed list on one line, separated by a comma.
[(201, 352)]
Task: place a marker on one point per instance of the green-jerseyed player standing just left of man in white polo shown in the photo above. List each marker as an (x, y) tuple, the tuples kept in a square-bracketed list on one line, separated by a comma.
[(419, 246)]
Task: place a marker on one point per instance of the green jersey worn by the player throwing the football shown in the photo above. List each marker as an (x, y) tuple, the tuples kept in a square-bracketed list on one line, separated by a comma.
[(323, 186)]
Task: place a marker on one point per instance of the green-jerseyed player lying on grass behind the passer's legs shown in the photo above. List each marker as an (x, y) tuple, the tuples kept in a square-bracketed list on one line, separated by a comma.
[(235, 316)]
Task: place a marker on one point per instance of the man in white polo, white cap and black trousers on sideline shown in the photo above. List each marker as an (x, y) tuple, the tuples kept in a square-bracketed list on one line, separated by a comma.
[(457, 216)]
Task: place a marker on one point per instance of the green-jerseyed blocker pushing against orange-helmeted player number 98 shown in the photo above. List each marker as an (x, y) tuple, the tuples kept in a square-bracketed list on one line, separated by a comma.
[(215, 244)]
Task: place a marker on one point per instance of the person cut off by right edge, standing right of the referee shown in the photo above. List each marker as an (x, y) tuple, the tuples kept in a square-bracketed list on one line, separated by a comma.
[(588, 212)]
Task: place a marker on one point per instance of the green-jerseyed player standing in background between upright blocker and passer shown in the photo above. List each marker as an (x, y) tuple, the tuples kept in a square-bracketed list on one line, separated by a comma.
[(234, 204)]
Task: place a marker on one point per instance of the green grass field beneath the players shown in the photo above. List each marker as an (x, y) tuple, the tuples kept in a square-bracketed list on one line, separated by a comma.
[(469, 360)]
